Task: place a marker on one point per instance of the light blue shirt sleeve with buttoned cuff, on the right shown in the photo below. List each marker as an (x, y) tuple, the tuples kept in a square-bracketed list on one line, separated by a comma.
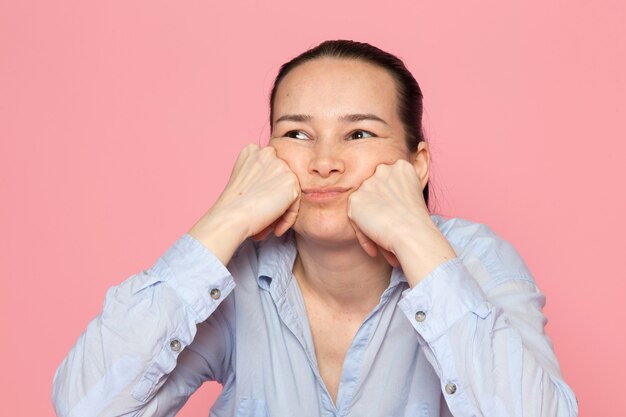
[(479, 318)]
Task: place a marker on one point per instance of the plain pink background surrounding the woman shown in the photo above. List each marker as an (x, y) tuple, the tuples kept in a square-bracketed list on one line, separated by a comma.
[(119, 122)]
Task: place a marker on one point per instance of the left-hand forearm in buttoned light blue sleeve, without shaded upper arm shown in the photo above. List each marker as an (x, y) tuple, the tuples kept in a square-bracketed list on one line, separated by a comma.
[(127, 352)]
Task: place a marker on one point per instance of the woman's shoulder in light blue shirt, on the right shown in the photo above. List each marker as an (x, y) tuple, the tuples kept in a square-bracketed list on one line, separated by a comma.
[(490, 258)]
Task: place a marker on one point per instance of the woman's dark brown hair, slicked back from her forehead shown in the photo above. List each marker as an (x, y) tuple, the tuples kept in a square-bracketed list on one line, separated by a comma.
[(409, 94)]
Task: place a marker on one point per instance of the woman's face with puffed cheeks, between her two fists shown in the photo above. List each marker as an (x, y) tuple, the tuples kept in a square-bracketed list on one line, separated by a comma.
[(335, 120)]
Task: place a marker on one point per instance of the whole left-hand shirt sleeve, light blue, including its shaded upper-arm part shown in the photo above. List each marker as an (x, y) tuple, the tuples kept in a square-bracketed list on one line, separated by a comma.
[(137, 357)]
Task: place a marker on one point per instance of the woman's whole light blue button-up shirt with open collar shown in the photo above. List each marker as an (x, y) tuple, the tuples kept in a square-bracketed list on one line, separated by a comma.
[(467, 341)]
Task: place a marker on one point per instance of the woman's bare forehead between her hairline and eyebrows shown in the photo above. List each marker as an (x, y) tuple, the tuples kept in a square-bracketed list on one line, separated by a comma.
[(330, 87)]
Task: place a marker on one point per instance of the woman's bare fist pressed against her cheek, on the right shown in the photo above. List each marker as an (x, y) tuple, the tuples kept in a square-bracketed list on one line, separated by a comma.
[(389, 214)]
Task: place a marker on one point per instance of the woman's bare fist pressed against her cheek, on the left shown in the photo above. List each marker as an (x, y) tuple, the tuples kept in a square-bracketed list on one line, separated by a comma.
[(262, 195)]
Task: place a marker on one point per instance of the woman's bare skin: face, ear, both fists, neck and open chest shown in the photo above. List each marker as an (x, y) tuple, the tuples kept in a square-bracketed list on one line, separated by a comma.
[(350, 189)]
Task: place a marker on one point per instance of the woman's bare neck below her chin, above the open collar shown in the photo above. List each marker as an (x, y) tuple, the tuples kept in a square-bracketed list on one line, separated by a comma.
[(342, 276)]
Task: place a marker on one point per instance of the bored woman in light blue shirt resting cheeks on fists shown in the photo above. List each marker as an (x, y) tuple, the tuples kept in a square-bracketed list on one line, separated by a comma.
[(349, 300)]
